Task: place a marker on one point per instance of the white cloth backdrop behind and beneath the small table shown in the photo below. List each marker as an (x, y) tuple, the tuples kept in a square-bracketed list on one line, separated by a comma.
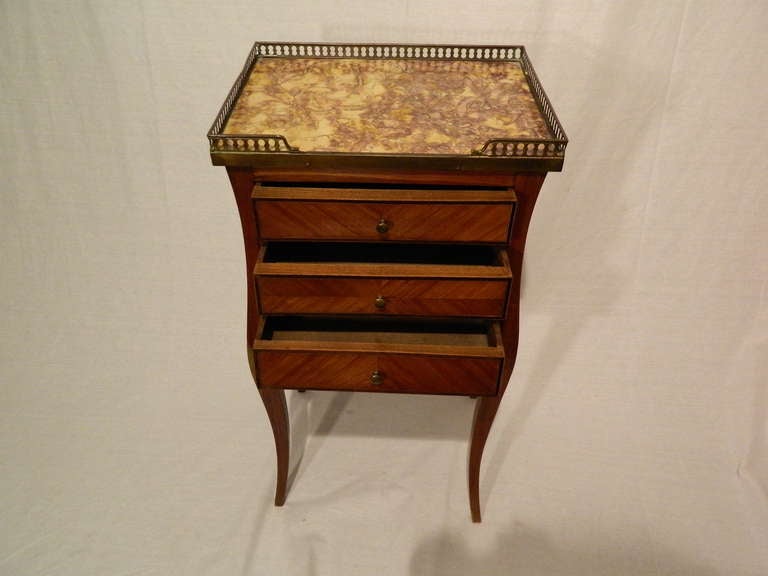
[(633, 436)]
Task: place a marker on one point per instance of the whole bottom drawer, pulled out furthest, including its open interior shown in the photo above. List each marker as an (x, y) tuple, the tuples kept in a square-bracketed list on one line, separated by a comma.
[(379, 356)]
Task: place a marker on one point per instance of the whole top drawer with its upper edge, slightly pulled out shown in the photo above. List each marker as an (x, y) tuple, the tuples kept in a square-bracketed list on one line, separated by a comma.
[(330, 212)]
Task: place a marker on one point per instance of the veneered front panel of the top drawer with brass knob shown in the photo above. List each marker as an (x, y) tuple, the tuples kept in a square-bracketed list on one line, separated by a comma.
[(397, 221)]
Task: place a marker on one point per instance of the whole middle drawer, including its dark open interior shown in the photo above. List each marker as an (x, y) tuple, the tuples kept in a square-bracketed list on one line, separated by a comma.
[(385, 279)]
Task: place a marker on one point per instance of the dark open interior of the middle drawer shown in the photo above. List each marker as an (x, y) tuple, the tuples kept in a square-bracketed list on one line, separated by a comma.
[(354, 252)]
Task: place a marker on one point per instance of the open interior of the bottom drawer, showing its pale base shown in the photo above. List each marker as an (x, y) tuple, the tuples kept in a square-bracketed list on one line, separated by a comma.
[(467, 333)]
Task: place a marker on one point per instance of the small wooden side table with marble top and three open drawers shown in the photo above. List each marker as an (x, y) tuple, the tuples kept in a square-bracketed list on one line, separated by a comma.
[(385, 193)]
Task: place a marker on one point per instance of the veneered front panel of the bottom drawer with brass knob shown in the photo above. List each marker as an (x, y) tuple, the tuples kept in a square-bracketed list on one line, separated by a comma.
[(378, 372)]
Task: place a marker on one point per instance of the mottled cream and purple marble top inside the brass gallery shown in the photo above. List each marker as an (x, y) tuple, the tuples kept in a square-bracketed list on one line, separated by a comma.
[(387, 106)]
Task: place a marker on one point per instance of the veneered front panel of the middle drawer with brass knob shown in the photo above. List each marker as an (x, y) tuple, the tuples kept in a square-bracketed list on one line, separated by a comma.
[(398, 296)]
